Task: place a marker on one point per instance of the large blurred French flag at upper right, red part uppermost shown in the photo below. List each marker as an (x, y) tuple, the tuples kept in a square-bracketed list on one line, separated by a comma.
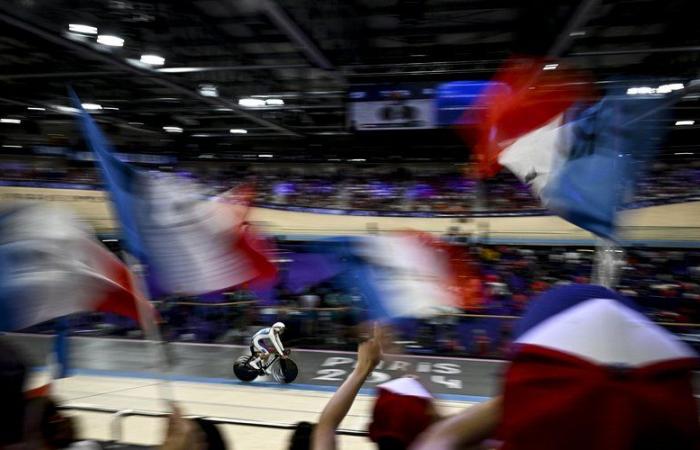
[(580, 159)]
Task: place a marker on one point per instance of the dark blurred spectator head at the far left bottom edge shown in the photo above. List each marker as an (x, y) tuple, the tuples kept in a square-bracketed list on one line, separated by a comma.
[(13, 372)]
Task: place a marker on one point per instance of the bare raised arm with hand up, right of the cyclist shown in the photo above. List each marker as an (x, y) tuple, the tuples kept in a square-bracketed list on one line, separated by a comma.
[(369, 354)]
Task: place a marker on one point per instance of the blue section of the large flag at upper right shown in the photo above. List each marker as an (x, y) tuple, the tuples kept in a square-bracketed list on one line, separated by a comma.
[(608, 153)]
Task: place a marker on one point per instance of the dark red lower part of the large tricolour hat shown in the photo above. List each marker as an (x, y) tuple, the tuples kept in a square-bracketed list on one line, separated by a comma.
[(556, 401)]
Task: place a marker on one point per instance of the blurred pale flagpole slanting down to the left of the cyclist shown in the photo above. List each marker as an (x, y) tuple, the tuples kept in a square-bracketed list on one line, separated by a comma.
[(151, 330)]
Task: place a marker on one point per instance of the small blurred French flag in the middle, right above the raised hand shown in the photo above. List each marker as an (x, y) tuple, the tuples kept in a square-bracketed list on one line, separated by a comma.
[(400, 275)]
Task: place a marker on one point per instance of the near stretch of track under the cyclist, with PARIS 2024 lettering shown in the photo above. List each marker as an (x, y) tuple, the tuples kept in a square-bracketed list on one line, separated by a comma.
[(120, 374)]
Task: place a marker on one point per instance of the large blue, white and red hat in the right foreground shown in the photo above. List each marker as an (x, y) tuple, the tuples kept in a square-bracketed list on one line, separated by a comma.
[(590, 371)]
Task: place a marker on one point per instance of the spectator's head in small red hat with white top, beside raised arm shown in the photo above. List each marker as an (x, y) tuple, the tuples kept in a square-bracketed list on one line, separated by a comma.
[(403, 410)]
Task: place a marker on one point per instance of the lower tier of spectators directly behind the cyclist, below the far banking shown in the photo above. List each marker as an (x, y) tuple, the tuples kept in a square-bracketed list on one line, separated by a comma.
[(665, 282)]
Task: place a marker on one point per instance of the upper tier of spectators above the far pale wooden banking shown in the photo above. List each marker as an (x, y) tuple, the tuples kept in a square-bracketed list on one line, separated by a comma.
[(434, 188)]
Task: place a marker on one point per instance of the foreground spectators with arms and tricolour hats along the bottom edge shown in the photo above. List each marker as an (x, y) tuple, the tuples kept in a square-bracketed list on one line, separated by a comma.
[(545, 400)]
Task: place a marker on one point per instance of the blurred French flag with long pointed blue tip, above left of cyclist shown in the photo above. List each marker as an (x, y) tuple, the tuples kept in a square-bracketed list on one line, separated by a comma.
[(190, 244)]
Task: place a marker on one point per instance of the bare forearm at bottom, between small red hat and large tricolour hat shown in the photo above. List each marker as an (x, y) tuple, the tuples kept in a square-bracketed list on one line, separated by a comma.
[(468, 428)]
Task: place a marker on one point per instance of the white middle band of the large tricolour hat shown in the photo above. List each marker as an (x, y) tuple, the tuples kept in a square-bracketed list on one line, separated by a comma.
[(607, 332)]
